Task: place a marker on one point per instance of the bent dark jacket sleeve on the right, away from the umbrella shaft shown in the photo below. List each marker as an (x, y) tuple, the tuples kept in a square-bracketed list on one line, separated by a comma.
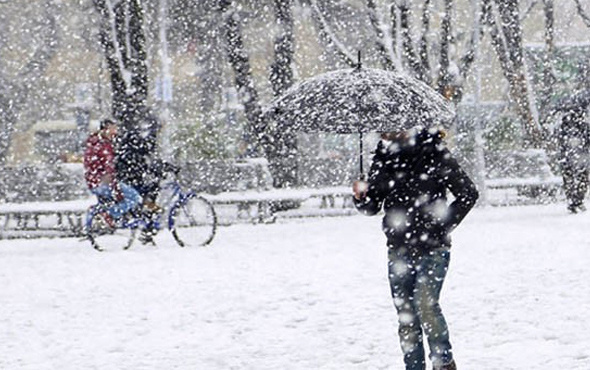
[(462, 188)]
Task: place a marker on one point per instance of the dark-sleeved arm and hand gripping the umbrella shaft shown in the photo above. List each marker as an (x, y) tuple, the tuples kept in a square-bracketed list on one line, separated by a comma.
[(378, 186)]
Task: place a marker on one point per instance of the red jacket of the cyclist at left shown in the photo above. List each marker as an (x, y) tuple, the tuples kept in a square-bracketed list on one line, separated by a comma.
[(99, 161)]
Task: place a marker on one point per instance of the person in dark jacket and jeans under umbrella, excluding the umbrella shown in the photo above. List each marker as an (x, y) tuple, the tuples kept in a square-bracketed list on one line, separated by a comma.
[(409, 178)]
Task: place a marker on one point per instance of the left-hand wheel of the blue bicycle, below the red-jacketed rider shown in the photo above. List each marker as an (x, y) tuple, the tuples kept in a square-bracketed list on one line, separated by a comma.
[(102, 236)]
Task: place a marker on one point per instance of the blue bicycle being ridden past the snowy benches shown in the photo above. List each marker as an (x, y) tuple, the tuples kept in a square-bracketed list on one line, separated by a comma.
[(189, 217)]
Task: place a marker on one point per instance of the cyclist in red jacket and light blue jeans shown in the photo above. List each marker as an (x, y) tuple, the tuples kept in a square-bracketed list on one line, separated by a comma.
[(100, 174)]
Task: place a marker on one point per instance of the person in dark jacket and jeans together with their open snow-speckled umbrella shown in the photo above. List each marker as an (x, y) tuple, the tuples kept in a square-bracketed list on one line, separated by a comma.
[(409, 177)]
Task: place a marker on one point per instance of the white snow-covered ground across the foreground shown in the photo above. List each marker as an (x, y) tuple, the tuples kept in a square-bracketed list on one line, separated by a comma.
[(298, 294)]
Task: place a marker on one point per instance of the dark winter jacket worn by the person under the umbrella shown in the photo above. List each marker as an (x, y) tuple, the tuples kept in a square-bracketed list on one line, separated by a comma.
[(410, 183)]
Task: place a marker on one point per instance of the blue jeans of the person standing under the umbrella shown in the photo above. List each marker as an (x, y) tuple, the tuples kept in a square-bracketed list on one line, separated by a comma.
[(416, 280)]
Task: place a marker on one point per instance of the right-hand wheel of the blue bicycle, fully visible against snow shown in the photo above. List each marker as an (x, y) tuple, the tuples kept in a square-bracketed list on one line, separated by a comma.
[(193, 221)]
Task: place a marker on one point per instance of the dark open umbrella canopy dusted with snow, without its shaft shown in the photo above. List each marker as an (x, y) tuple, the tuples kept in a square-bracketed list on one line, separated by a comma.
[(359, 100)]
